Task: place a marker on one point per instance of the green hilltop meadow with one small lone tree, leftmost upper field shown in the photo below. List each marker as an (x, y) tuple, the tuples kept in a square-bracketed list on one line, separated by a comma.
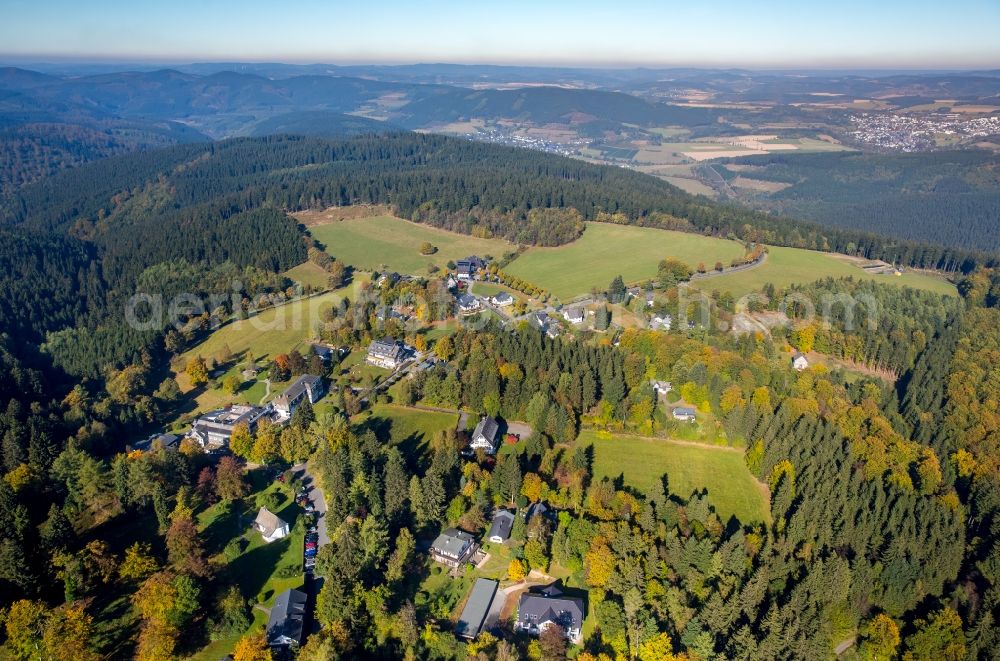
[(384, 241)]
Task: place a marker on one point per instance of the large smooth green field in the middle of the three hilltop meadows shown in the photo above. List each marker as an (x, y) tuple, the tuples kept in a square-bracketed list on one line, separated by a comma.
[(605, 251)]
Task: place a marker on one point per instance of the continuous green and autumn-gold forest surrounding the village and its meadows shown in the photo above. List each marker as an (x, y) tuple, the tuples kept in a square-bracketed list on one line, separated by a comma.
[(884, 495)]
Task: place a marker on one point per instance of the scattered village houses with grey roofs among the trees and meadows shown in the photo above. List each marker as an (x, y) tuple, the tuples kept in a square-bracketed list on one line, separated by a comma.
[(535, 602)]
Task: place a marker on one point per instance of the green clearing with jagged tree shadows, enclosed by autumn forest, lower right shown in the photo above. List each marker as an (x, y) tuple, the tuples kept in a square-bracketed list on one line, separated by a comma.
[(732, 490)]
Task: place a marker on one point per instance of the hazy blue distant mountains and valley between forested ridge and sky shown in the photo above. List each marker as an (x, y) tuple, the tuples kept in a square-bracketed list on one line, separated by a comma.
[(74, 113)]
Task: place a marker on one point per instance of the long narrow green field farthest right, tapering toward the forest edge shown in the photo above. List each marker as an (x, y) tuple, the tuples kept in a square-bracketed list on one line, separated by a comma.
[(787, 266)]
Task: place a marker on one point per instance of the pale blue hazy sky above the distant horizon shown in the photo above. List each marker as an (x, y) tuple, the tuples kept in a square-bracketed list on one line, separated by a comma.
[(786, 33)]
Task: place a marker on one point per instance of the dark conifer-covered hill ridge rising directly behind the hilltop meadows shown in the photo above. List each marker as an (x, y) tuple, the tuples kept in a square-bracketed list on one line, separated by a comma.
[(447, 182)]
